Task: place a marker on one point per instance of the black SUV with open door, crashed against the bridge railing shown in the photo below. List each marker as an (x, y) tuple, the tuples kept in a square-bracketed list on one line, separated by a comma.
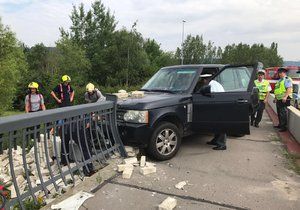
[(176, 103)]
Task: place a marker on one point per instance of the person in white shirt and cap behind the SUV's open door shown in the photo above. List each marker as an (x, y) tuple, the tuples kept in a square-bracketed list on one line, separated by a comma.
[(219, 140)]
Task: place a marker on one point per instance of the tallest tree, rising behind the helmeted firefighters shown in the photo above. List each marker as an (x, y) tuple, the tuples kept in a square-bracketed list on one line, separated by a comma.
[(93, 30)]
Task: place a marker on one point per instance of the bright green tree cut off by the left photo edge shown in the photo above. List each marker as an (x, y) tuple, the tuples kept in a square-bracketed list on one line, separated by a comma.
[(12, 63)]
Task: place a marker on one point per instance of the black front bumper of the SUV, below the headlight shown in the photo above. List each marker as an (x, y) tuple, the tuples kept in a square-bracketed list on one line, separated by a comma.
[(132, 133)]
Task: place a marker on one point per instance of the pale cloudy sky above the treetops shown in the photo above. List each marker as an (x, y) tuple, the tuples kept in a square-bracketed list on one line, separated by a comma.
[(221, 21)]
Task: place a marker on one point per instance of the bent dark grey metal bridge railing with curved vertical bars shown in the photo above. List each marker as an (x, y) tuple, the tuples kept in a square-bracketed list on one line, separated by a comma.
[(42, 152)]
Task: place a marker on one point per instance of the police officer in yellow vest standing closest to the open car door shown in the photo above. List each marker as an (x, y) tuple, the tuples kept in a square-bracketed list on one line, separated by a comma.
[(264, 88)]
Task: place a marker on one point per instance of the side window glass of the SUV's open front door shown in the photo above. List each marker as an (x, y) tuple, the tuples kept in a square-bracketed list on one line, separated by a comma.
[(235, 79)]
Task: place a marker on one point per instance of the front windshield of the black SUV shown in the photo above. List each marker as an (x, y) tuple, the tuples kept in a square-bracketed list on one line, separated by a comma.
[(171, 80)]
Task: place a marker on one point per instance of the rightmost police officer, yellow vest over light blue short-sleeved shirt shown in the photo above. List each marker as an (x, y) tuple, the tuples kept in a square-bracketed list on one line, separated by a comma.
[(283, 94)]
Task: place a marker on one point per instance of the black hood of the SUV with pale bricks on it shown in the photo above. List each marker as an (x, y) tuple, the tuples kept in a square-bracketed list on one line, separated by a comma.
[(151, 101)]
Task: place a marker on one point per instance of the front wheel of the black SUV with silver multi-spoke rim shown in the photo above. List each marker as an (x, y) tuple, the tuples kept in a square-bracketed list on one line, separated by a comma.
[(165, 141)]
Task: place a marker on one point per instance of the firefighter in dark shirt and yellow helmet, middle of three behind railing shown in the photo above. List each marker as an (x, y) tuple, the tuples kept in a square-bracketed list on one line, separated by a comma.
[(65, 92)]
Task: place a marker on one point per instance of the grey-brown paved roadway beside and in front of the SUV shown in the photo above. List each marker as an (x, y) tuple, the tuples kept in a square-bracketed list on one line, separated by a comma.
[(251, 174)]
